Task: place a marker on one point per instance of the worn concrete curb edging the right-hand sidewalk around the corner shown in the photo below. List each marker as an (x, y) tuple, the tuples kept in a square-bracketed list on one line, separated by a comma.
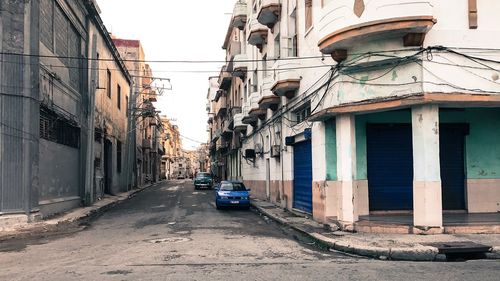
[(416, 253)]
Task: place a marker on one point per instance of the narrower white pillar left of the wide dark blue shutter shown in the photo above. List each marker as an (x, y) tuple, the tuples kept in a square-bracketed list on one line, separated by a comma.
[(346, 168)]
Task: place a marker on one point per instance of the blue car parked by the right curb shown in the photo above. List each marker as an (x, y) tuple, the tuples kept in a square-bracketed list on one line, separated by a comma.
[(232, 194)]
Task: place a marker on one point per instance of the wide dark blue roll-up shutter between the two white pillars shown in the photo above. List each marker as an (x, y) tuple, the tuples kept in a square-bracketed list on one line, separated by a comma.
[(390, 166)]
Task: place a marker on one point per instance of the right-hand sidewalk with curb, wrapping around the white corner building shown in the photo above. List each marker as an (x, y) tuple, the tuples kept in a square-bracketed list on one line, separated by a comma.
[(408, 247)]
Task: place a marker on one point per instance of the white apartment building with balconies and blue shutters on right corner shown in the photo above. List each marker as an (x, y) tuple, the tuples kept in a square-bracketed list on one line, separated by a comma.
[(354, 108)]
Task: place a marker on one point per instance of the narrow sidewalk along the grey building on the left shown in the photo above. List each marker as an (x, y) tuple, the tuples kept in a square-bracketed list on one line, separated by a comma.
[(72, 216)]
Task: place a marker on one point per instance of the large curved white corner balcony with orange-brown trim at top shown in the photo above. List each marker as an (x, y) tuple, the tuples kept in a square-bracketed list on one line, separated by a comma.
[(343, 23)]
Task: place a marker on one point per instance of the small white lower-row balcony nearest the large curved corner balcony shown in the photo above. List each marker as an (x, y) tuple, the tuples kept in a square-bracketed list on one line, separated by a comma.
[(287, 80)]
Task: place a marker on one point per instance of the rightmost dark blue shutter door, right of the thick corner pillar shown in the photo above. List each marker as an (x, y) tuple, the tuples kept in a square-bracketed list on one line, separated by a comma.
[(451, 150)]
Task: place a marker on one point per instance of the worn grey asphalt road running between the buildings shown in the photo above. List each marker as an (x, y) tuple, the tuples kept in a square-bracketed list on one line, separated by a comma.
[(172, 232)]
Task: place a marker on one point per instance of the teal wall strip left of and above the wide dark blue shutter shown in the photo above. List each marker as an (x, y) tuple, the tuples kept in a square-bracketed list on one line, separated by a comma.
[(398, 116)]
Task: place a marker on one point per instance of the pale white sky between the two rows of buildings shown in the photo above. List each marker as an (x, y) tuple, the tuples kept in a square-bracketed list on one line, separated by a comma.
[(176, 30)]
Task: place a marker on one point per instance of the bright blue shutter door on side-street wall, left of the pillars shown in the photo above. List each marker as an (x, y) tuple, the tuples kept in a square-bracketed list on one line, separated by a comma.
[(302, 172)]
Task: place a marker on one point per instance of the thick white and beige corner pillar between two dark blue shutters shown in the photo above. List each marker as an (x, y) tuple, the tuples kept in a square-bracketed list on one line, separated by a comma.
[(427, 202)]
